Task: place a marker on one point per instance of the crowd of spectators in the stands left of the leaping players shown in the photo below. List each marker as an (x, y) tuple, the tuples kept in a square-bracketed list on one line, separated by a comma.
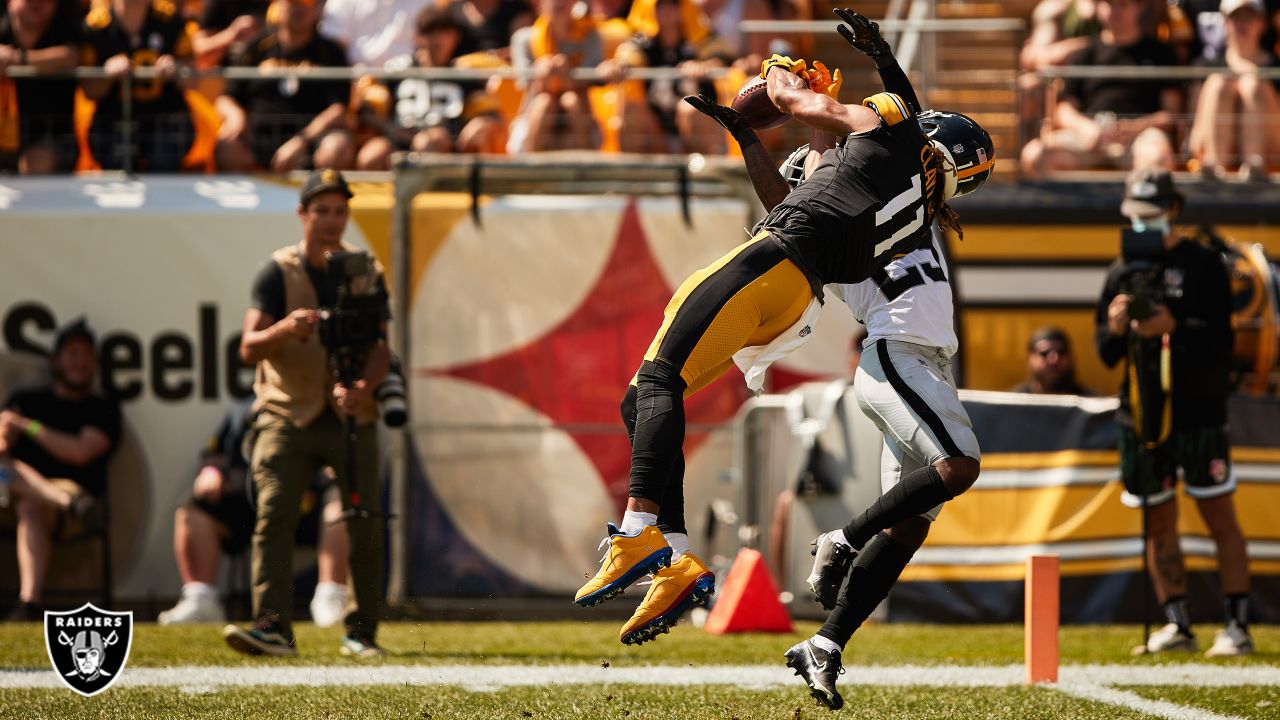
[(203, 124)]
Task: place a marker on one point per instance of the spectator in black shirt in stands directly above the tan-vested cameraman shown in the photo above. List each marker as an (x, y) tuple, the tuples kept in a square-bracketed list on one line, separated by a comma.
[(287, 125)]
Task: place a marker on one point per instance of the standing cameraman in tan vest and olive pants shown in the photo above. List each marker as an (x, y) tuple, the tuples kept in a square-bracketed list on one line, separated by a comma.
[(303, 413)]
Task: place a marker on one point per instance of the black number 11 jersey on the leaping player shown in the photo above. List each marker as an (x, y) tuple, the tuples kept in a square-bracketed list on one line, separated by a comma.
[(868, 202)]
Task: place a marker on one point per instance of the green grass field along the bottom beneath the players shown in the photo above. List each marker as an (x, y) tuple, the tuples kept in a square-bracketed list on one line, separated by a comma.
[(495, 651)]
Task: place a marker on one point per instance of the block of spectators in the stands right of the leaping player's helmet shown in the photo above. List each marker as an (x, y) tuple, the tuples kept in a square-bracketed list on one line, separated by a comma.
[(1222, 125)]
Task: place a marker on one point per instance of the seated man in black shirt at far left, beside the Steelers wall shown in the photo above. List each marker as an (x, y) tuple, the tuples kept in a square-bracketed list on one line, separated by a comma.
[(57, 443)]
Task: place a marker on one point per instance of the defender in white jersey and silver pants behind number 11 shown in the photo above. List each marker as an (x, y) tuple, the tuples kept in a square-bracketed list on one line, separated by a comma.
[(904, 384)]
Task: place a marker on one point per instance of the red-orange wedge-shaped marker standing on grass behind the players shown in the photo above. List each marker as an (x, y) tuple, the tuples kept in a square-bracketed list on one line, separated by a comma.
[(749, 600)]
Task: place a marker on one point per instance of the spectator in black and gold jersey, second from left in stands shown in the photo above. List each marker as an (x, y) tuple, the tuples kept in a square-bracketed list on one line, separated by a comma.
[(124, 35)]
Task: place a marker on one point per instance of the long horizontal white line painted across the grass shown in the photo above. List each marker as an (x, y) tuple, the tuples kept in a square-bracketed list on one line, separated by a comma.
[(493, 677)]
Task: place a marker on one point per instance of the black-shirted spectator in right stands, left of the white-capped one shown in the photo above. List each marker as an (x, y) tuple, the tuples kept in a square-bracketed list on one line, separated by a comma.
[(1095, 120)]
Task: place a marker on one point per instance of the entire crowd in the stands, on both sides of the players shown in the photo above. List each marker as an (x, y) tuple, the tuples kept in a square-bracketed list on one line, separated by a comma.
[(1224, 126)]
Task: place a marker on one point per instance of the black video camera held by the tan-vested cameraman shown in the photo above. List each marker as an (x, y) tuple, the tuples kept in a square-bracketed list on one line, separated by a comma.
[(354, 323)]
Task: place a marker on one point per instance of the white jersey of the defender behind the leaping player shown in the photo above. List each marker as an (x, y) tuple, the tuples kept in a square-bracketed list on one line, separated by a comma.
[(909, 300)]
